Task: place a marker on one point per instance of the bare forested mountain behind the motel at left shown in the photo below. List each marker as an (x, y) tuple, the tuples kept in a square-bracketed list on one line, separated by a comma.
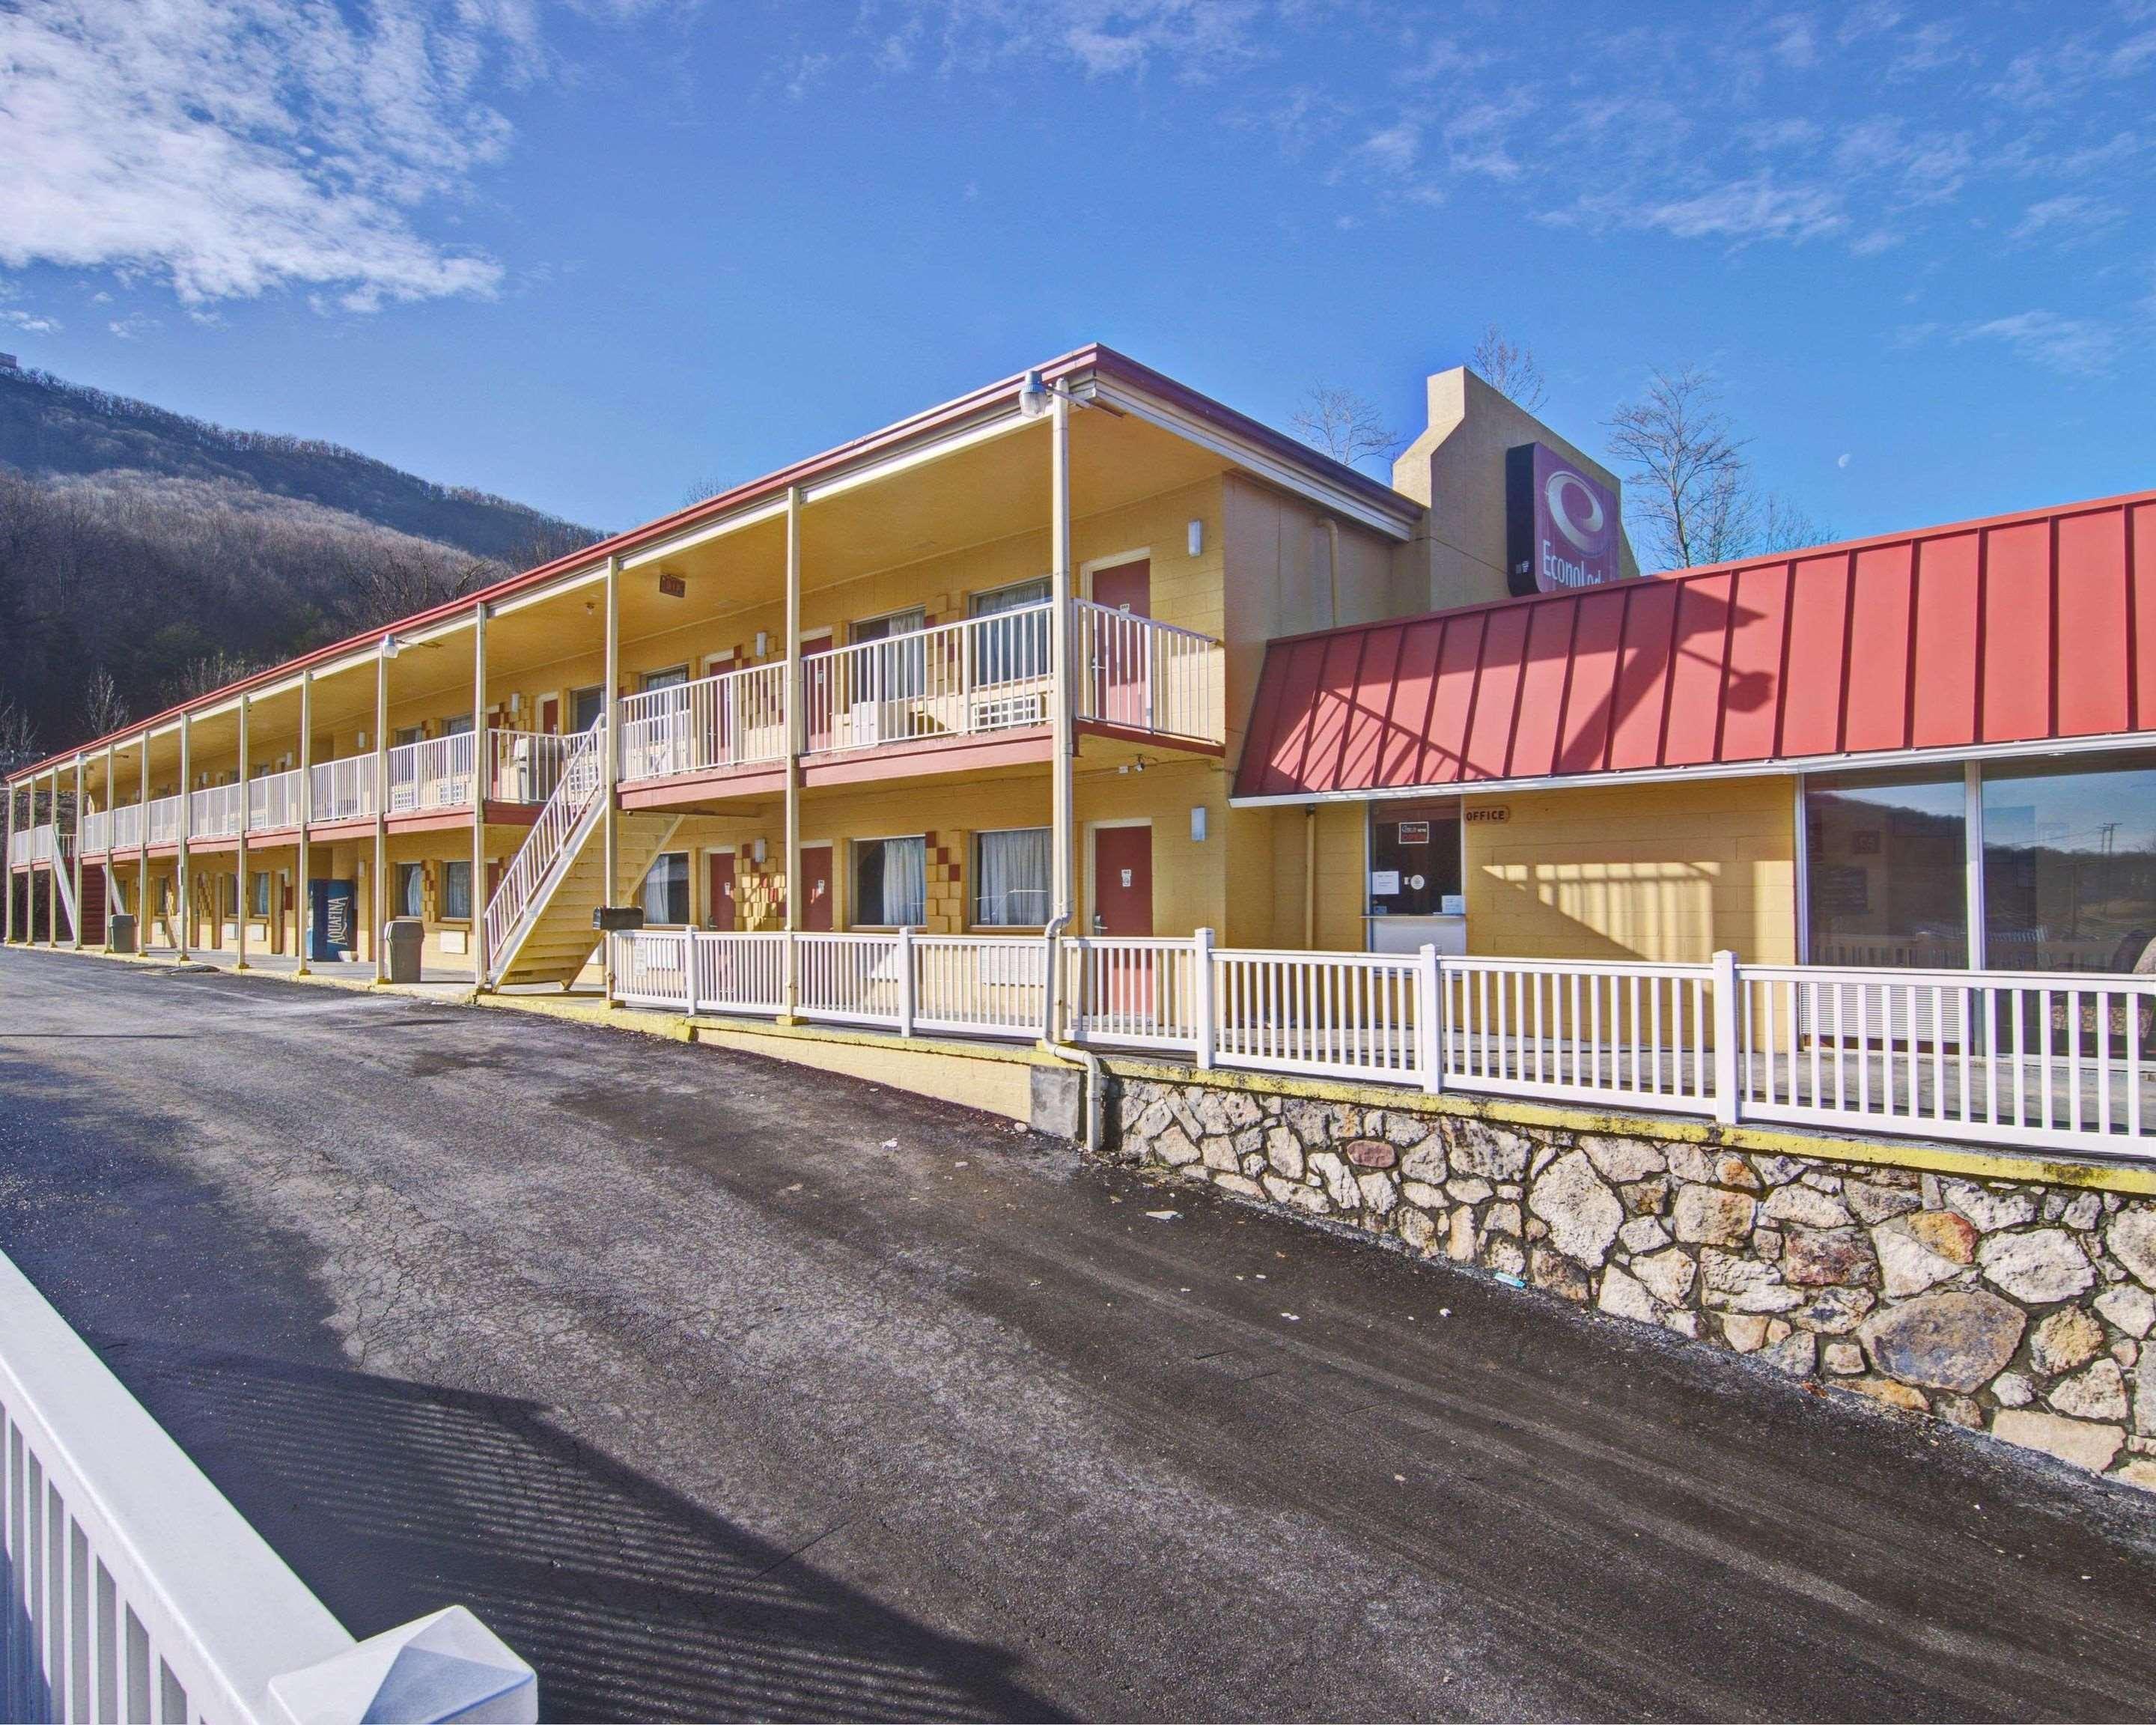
[(148, 555)]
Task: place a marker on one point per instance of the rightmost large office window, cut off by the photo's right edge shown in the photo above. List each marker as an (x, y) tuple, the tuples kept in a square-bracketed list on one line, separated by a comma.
[(2069, 864)]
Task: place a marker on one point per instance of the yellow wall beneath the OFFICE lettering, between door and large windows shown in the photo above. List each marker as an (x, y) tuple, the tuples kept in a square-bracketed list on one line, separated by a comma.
[(1653, 872)]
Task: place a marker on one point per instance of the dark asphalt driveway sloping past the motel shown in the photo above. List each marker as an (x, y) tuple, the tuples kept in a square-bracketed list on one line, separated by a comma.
[(723, 1388)]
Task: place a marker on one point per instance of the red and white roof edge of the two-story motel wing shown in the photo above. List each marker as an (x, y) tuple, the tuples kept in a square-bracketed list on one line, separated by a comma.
[(1075, 365)]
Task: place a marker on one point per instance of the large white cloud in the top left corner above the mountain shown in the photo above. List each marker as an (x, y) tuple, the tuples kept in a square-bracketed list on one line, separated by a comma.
[(236, 148)]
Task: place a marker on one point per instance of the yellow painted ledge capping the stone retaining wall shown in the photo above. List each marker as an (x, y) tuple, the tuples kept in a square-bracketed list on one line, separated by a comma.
[(1676, 1129)]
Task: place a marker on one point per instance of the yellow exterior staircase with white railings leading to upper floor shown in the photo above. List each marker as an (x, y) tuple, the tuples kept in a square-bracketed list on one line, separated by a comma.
[(540, 917)]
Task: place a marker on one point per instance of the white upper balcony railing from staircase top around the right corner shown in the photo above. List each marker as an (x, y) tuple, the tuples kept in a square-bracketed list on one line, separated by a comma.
[(980, 678)]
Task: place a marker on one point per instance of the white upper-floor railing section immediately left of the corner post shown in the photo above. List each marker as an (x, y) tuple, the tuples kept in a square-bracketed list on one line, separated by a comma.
[(989, 674)]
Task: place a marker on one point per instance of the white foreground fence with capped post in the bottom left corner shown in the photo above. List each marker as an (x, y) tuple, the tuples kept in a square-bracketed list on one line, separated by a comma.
[(137, 1592)]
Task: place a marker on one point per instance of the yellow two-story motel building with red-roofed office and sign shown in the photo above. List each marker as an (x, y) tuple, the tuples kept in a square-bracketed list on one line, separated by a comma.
[(1088, 652)]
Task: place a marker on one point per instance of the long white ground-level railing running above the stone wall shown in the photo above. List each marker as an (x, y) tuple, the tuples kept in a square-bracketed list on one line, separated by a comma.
[(1991, 1058)]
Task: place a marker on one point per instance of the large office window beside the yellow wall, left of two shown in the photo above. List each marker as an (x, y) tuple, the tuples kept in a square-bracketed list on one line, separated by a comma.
[(1888, 870)]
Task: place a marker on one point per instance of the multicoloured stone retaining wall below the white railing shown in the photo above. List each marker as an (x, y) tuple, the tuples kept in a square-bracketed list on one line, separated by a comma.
[(2015, 1308)]
